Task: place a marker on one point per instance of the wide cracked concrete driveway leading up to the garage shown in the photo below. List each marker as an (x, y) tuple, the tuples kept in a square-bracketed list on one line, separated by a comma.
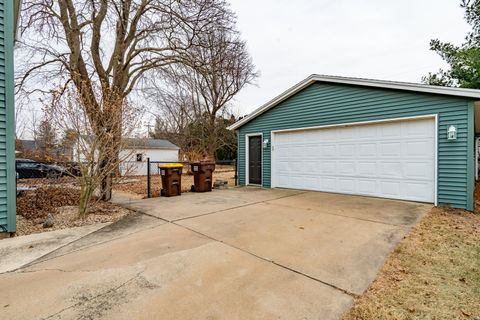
[(233, 254)]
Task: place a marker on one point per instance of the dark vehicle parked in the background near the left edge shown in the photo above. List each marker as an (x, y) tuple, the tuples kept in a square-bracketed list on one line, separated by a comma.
[(27, 168)]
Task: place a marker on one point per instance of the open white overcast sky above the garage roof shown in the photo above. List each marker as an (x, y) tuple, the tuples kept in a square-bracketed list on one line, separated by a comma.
[(379, 39)]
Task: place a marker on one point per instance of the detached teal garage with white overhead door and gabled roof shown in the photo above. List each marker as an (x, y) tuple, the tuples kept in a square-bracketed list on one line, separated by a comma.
[(364, 137)]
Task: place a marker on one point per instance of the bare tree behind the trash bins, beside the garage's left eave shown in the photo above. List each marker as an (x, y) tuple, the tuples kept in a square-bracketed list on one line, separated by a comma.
[(202, 93)]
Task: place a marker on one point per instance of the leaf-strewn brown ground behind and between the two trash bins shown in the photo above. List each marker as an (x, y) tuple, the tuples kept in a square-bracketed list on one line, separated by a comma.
[(138, 184)]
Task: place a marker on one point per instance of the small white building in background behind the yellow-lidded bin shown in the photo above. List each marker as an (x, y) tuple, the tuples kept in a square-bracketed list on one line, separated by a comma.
[(137, 150)]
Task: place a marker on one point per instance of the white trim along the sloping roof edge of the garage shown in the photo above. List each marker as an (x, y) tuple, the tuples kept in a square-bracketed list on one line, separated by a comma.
[(416, 87)]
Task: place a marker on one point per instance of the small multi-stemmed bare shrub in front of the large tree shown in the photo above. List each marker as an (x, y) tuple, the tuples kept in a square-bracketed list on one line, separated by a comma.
[(89, 150)]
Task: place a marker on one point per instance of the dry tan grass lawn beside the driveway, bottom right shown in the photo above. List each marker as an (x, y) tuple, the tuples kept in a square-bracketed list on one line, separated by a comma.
[(433, 274)]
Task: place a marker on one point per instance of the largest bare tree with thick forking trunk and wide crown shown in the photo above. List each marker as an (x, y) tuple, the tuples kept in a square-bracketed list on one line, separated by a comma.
[(114, 43)]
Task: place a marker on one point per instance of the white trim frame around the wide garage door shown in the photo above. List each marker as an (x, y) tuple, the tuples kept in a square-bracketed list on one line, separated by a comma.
[(434, 116)]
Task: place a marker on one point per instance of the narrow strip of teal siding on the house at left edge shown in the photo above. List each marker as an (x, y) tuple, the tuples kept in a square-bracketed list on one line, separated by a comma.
[(7, 123)]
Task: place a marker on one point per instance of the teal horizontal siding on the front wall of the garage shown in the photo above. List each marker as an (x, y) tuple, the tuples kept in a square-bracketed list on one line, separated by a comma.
[(326, 103)]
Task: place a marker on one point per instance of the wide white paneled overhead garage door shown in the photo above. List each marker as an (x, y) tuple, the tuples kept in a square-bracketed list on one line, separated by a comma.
[(389, 159)]
